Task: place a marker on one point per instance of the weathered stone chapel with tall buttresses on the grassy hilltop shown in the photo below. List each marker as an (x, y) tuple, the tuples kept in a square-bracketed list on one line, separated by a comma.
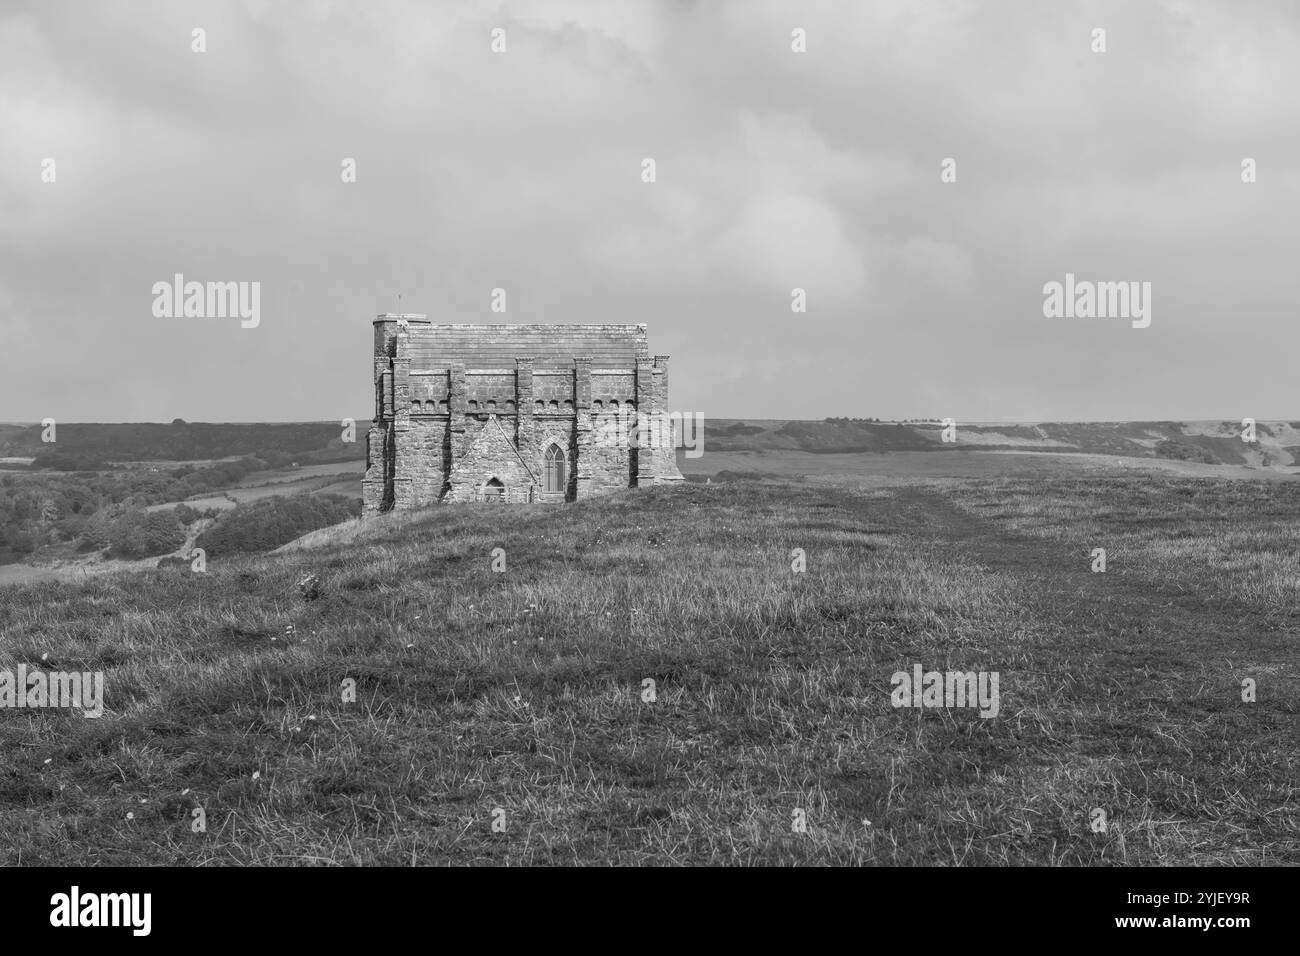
[(509, 413)]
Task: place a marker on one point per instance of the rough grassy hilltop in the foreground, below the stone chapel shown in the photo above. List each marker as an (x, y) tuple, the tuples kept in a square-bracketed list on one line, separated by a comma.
[(522, 690)]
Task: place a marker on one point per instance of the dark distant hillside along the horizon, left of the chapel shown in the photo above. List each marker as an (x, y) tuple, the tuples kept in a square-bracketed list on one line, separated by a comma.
[(183, 442)]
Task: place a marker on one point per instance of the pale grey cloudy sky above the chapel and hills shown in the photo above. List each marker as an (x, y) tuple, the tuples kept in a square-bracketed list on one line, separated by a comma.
[(774, 170)]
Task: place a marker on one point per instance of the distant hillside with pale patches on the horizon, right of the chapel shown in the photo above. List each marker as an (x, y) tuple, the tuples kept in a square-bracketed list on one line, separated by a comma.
[(1212, 443)]
